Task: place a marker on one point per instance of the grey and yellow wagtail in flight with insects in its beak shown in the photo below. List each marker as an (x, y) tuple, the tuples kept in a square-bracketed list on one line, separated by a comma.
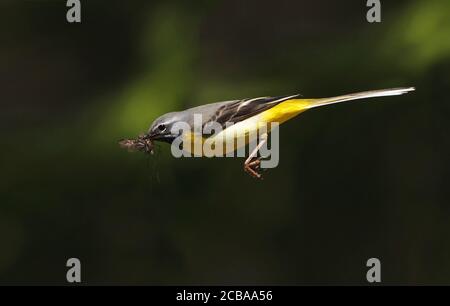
[(239, 118)]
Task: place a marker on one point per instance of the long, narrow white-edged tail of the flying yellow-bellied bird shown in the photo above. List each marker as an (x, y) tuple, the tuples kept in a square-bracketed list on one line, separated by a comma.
[(360, 95)]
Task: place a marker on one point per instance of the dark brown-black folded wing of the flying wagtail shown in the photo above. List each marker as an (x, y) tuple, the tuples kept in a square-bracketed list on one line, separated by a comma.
[(240, 110)]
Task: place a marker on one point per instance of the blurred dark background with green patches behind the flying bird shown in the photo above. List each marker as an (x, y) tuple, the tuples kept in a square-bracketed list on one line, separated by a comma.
[(356, 180)]
